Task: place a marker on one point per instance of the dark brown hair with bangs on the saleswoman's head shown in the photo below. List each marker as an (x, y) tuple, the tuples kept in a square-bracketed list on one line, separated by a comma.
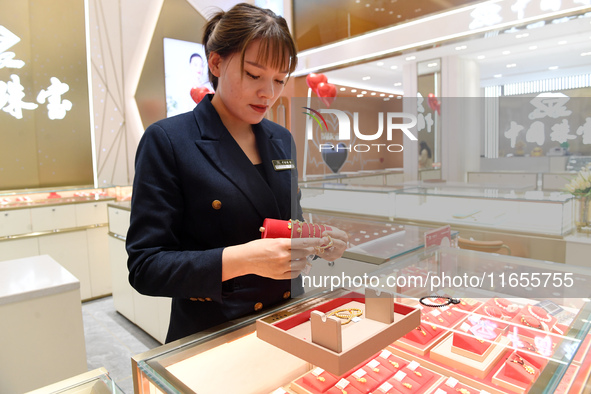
[(230, 32)]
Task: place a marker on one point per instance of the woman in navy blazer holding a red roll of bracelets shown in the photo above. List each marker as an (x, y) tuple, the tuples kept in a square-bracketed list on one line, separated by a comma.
[(205, 181)]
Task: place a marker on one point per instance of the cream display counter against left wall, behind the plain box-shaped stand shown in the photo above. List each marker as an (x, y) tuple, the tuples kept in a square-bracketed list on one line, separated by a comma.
[(70, 224)]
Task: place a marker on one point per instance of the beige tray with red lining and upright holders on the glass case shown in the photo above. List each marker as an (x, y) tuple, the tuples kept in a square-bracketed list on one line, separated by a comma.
[(325, 342)]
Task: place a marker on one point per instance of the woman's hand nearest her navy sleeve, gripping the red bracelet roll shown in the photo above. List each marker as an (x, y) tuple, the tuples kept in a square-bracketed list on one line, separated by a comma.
[(276, 258)]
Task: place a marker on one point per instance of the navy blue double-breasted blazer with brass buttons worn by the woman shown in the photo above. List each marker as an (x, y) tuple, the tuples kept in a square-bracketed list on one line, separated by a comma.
[(195, 192)]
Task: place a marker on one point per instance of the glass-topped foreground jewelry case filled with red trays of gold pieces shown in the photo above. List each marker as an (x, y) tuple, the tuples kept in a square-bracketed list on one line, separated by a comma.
[(537, 343)]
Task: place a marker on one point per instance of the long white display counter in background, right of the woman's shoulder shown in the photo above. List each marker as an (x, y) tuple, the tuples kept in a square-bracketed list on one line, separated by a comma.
[(516, 209)]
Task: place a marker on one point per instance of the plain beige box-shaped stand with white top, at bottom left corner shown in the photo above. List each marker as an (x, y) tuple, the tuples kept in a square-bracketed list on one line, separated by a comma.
[(42, 339)]
